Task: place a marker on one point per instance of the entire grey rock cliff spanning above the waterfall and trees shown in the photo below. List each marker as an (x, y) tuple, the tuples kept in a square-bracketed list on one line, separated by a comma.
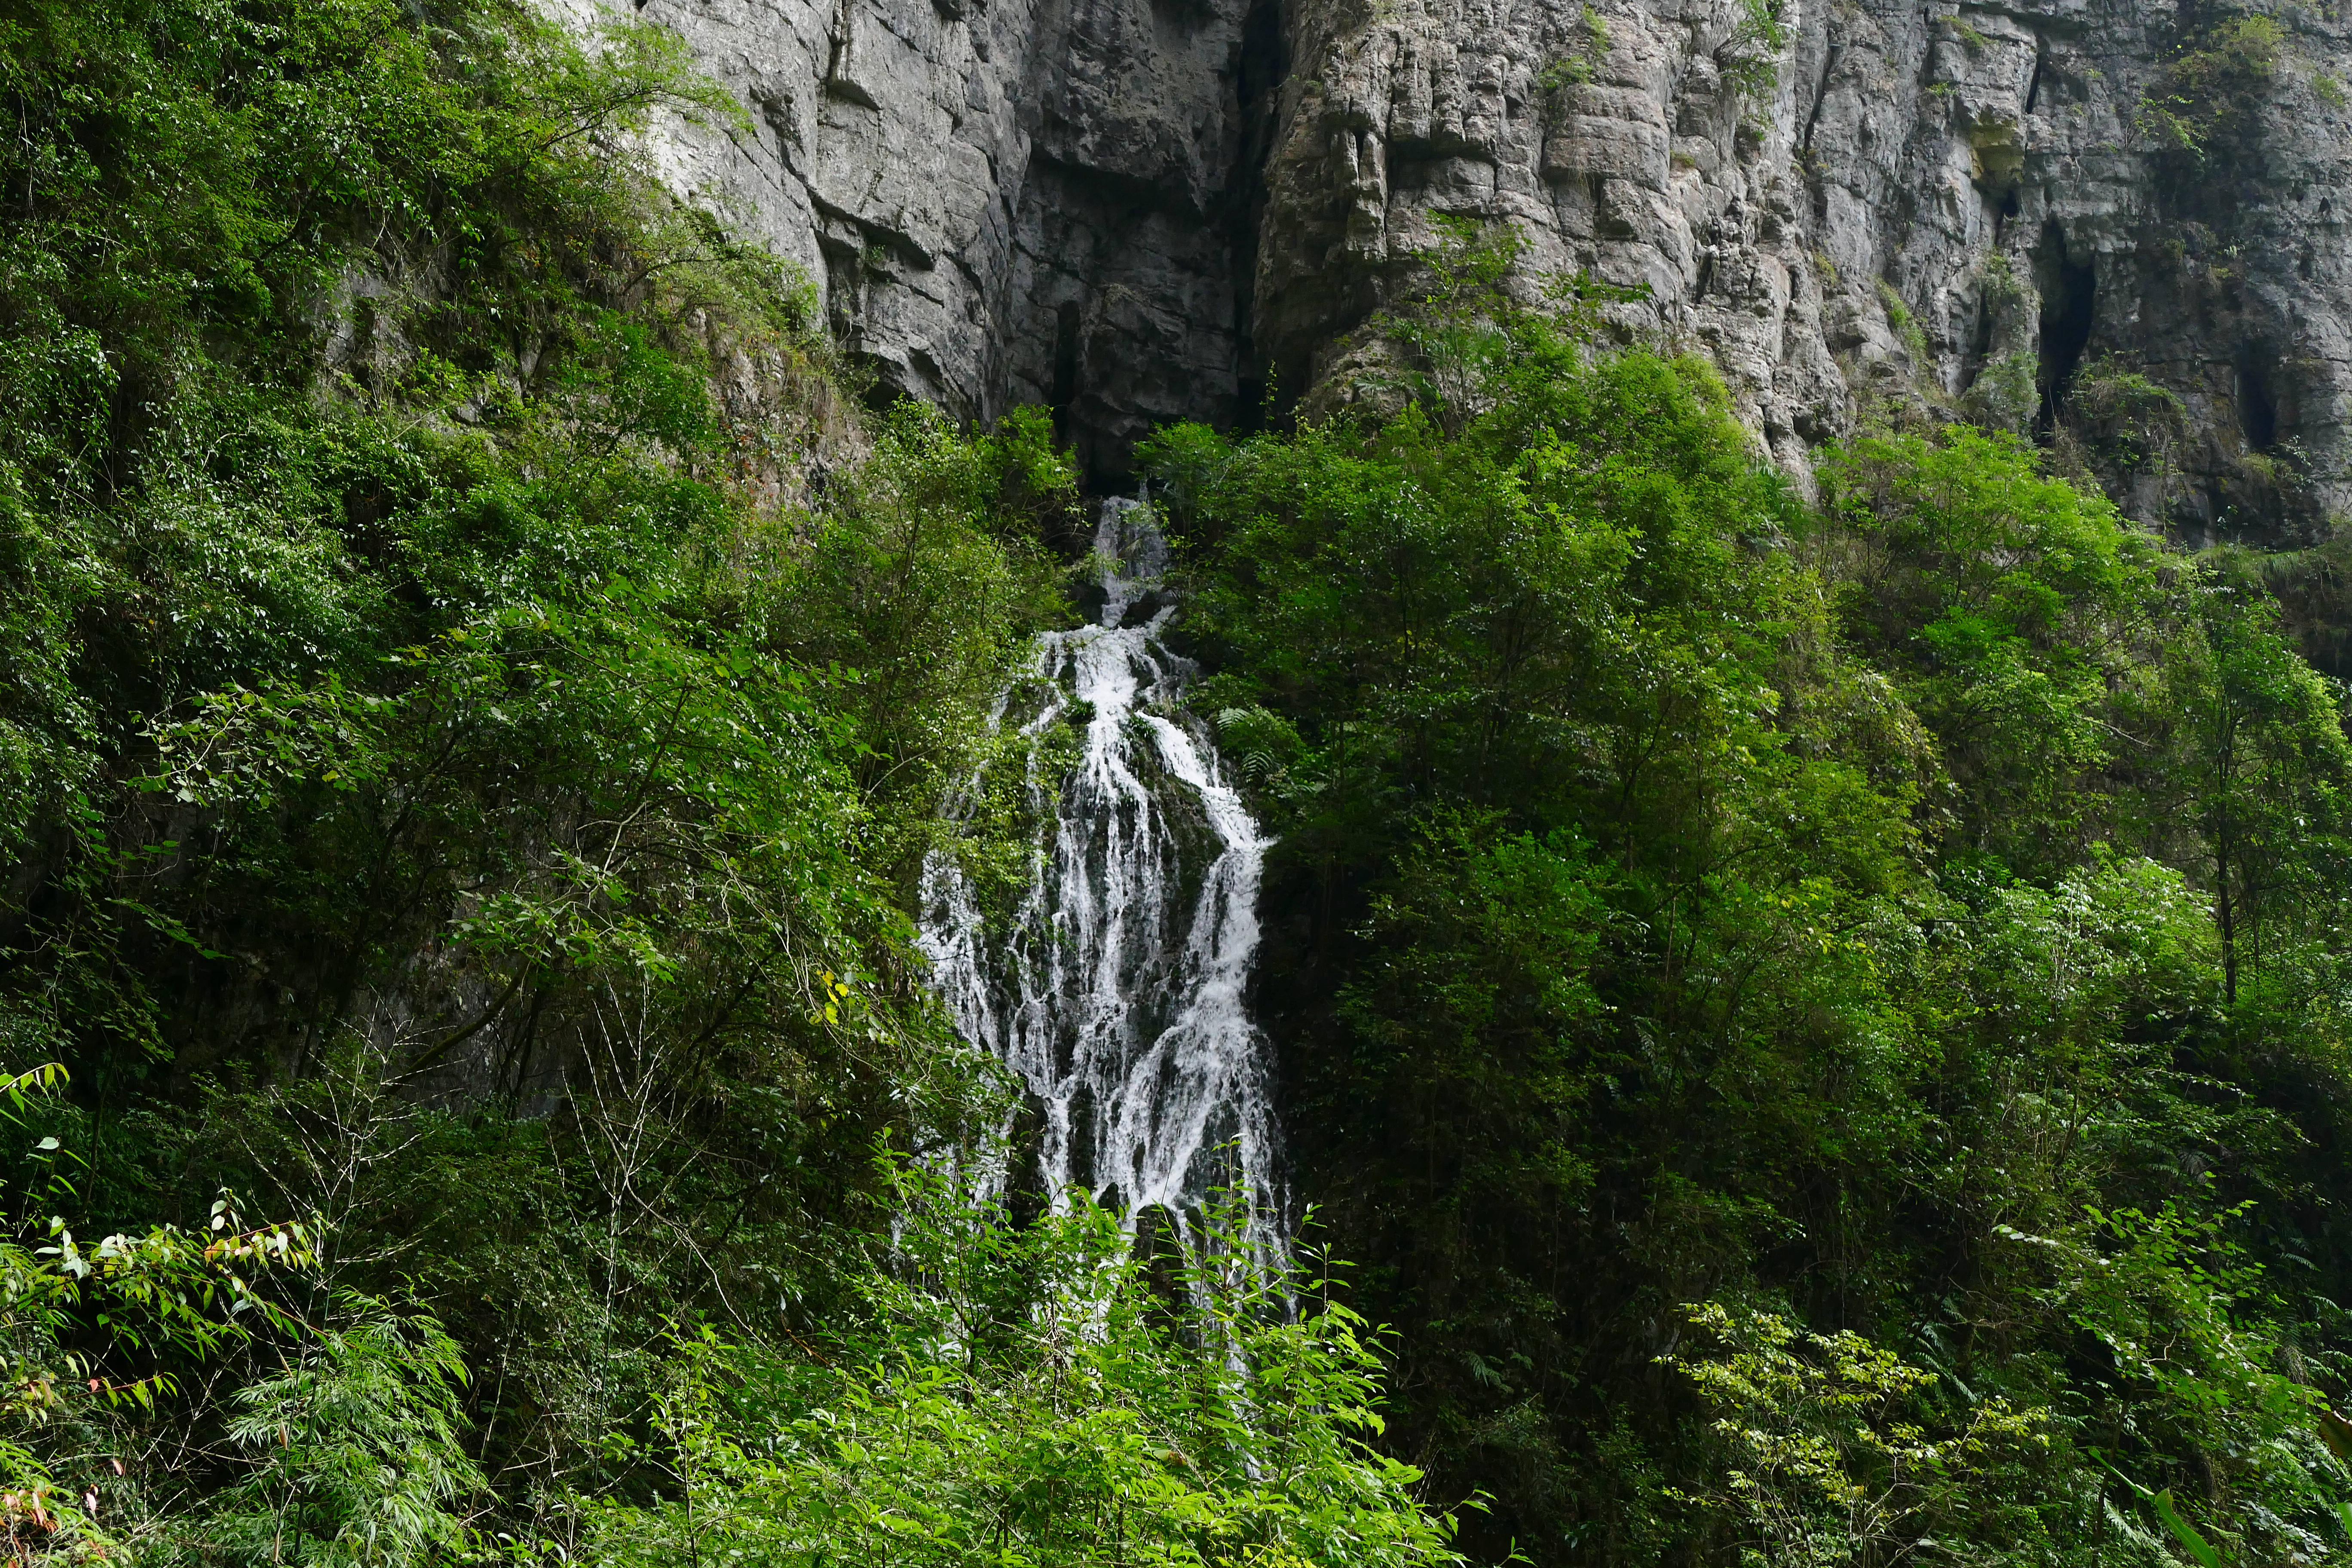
[(2113, 222)]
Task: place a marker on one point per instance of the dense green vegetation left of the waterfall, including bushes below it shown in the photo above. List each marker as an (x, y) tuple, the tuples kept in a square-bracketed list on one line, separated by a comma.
[(479, 699)]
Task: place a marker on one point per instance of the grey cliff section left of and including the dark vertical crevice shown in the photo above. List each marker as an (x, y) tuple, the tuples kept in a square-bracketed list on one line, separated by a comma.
[(1003, 201)]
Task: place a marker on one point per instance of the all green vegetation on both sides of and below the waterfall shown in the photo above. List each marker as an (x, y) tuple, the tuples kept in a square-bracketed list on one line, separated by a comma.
[(1822, 1024)]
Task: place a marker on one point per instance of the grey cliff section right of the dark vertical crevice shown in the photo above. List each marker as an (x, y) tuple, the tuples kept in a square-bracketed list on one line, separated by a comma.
[(1956, 208)]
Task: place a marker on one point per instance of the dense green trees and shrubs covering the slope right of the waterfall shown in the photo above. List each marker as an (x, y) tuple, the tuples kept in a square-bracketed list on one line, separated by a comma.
[(1824, 1024)]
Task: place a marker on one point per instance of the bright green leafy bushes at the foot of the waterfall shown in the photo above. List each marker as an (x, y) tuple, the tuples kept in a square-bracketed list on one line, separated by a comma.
[(1034, 1398)]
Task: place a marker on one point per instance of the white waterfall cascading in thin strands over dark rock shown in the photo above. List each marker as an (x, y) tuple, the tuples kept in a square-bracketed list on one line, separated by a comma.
[(1116, 989)]
